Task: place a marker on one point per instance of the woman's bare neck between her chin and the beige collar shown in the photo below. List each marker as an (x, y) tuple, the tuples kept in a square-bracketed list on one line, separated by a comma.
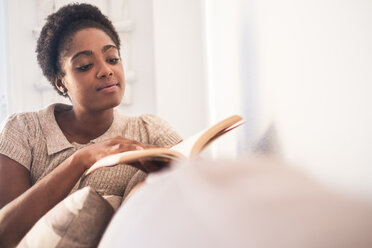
[(82, 126)]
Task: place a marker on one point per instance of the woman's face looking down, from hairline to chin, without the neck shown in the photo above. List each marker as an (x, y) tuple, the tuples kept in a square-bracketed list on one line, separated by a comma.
[(94, 75)]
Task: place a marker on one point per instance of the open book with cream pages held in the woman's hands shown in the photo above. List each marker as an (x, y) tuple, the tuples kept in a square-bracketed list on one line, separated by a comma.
[(188, 148)]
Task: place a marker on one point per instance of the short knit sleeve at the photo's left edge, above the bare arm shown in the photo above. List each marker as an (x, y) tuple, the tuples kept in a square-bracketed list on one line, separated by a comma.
[(15, 141)]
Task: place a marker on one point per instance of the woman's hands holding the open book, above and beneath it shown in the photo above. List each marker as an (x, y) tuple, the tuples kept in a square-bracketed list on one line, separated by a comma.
[(88, 155)]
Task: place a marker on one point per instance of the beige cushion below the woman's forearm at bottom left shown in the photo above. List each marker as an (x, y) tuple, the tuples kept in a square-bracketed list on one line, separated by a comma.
[(78, 221)]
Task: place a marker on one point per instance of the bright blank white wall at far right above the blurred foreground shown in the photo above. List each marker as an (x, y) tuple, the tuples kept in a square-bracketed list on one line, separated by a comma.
[(314, 61)]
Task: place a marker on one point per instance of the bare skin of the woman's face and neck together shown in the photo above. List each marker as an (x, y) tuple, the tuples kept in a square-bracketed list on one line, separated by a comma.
[(88, 69)]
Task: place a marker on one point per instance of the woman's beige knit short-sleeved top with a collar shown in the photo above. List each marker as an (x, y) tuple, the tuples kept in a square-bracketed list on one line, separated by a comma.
[(35, 140)]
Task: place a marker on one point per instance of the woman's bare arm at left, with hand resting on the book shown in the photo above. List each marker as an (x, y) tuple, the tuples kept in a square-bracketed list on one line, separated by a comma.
[(20, 214)]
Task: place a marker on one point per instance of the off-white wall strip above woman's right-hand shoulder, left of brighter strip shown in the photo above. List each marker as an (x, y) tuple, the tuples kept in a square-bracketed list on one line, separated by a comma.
[(179, 64)]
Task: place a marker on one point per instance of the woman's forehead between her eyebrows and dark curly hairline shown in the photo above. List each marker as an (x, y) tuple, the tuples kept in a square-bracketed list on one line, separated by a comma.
[(88, 39)]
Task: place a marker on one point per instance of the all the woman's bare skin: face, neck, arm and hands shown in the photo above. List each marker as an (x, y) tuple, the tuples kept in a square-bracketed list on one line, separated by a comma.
[(95, 83)]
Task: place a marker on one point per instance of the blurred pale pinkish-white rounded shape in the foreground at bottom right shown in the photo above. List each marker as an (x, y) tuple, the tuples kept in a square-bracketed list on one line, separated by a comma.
[(243, 203)]
